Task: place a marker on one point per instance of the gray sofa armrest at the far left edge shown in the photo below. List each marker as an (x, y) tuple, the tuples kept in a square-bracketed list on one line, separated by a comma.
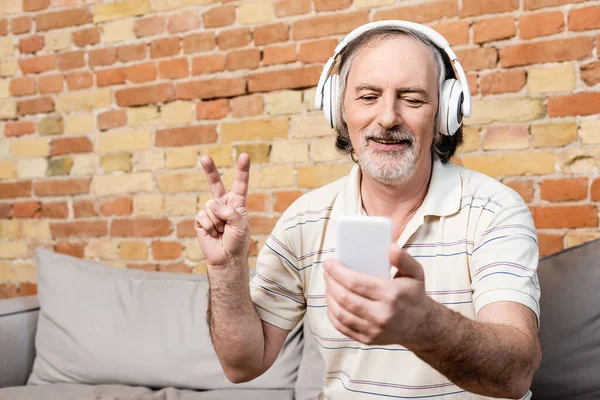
[(18, 322)]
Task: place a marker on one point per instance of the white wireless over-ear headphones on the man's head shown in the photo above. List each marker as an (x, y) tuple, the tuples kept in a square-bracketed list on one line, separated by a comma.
[(455, 98)]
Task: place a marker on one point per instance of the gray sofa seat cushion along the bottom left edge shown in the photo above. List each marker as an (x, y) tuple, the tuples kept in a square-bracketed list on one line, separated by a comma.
[(65, 391)]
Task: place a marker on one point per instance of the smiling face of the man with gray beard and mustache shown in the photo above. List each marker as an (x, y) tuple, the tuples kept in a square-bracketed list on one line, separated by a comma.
[(390, 107)]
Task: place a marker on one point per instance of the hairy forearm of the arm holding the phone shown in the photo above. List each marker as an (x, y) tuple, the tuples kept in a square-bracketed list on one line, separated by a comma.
[(488, 359)]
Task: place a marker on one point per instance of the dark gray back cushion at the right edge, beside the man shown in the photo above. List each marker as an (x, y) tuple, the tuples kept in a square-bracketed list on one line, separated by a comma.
[(570, 324)]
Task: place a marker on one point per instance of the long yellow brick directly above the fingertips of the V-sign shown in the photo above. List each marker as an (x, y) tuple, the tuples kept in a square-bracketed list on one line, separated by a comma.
[(261, 129)]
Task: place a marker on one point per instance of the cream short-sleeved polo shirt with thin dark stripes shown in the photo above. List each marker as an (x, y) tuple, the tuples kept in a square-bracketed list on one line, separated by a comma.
[(474, 237)]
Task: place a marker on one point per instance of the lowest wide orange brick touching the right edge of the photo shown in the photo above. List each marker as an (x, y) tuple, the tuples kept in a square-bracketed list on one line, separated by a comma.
[(585, 216)]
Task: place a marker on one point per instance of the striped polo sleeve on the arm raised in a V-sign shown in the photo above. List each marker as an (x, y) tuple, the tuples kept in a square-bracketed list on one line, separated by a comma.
[(277, 289)]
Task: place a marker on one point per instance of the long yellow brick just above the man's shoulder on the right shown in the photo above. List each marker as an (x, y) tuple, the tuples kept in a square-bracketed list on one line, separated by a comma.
[(512, 163)]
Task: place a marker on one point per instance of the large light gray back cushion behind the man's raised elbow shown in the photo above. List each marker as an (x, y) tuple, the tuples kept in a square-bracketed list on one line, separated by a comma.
[(100, 324)]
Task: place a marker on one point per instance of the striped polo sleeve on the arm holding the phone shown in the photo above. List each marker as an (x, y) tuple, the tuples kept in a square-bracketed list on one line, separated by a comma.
[(505, 259)]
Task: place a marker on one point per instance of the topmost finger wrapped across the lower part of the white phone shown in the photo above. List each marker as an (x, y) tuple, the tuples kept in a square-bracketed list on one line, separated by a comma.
[(361, 284)]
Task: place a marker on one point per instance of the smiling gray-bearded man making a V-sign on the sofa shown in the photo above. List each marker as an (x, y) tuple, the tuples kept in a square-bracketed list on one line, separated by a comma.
[(459, 319)]
